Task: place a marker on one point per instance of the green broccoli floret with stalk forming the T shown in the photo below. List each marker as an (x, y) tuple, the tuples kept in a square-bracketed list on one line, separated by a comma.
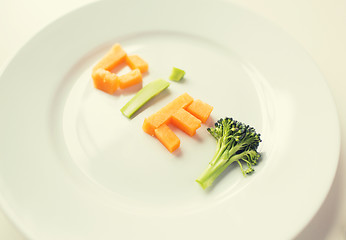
[(236, 142)]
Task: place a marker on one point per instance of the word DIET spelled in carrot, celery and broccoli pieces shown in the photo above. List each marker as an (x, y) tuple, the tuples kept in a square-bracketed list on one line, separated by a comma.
[(236, 141)]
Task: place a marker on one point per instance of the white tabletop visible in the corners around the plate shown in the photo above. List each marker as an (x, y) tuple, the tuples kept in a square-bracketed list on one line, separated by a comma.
[(318, 25)]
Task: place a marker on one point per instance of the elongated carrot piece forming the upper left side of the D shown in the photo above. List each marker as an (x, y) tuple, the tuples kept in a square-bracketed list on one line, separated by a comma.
[(113, 58)]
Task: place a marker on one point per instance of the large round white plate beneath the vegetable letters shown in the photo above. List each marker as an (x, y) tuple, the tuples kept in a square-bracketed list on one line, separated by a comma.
[(73, 167)]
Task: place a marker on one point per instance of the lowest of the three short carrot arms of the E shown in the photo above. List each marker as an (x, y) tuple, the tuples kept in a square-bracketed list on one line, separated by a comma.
[(167, 137)]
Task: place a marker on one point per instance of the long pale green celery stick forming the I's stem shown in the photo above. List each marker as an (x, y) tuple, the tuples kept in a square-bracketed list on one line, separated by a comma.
[(144, 95)]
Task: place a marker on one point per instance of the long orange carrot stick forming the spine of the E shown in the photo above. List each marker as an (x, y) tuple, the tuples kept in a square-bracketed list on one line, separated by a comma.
[(164, 115)]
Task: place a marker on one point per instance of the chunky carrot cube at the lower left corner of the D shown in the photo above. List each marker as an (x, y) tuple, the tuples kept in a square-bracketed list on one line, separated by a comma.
[(105, 81)]
